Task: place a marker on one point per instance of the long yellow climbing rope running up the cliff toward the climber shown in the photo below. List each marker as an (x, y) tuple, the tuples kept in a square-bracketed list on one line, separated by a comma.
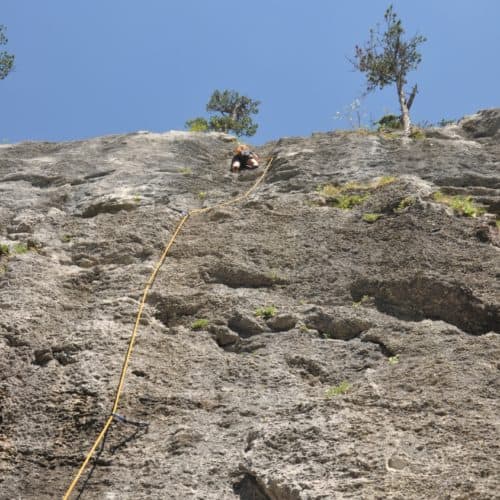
[(114, 415)]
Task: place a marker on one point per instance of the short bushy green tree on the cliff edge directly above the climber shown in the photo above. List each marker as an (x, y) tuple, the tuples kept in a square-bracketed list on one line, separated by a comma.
[(234, 112)]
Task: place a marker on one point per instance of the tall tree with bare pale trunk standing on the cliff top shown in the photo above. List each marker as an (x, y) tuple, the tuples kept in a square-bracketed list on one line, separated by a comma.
[(387, 58)]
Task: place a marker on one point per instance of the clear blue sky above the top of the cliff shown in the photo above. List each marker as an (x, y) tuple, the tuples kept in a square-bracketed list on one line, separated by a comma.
[(98, 67)]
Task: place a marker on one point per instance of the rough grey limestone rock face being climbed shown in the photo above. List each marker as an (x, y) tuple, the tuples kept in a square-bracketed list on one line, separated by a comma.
[(346, 353)]
